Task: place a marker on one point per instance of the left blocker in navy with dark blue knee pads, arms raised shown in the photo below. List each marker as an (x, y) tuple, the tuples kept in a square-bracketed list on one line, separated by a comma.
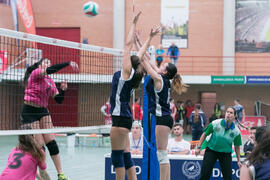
[(123, 83)]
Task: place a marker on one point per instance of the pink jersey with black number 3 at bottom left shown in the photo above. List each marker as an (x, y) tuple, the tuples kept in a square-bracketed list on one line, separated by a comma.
[(22, 166)]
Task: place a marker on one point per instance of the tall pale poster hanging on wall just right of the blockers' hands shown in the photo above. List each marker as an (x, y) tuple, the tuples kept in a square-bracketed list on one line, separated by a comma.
[(174, 20)]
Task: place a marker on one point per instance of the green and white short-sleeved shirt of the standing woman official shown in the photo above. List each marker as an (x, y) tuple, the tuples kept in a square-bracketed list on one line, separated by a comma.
[(222, 137)]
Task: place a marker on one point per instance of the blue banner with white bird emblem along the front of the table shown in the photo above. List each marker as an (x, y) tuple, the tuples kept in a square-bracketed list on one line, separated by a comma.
[(182, 168)]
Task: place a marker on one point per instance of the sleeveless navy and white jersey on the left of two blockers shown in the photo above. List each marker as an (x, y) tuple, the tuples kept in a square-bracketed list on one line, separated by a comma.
[(120, 94)]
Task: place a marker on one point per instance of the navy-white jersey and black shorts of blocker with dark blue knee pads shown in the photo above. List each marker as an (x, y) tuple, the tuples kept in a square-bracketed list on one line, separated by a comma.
[(120, 98)]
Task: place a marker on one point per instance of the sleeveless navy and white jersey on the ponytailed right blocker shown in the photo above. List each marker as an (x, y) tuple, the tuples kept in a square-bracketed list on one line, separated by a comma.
[(158, 101)]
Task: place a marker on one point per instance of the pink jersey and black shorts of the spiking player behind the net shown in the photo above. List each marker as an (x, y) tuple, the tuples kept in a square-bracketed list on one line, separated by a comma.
[(39, 89)]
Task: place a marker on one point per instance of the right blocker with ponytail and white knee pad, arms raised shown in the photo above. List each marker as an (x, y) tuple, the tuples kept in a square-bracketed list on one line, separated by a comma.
[(158, 90)]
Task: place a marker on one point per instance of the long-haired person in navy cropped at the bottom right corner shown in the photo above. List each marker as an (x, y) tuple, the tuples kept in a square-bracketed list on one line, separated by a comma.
[(258, 161)]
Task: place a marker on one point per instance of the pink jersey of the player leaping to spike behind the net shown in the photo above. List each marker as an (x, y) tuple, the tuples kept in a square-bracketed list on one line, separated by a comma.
[(39, 88)]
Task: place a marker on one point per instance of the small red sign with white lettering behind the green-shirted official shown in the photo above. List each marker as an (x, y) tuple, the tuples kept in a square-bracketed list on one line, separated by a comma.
[(252, 121)]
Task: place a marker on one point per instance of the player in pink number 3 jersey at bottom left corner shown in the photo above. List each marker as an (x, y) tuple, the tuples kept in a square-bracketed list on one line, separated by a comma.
[(24, 160)]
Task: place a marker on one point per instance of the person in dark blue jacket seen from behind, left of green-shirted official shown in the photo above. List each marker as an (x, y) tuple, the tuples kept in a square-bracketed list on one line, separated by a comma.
[(197, 120)]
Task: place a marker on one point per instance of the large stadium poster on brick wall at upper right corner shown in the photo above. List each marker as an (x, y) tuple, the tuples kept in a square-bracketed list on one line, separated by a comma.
[(252, 26)]
